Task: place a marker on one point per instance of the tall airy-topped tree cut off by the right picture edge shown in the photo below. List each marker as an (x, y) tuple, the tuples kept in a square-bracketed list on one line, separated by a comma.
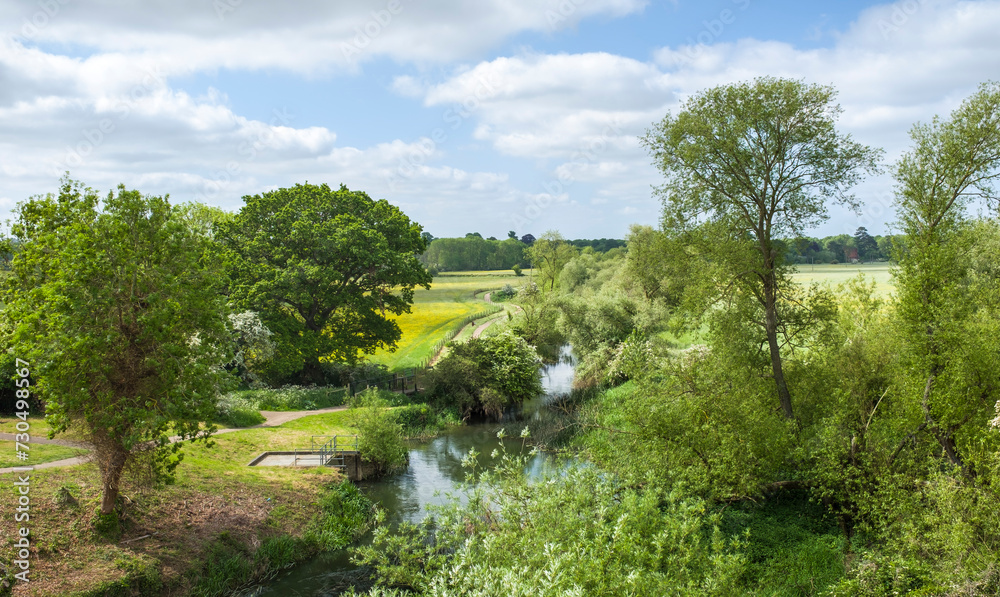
[(951, 164)]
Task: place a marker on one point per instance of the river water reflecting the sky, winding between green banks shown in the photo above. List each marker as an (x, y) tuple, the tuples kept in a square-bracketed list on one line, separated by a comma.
[(435, 469)]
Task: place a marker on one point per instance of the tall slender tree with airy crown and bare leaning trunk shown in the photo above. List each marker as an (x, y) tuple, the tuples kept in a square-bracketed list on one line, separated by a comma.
[(759, 160)]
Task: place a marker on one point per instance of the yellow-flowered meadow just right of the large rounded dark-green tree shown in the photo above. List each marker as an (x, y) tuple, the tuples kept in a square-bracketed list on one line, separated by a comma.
[(437, 311)]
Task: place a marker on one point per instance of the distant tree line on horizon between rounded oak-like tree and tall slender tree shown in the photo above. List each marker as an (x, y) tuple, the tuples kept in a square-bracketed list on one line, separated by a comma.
[(473, 252)]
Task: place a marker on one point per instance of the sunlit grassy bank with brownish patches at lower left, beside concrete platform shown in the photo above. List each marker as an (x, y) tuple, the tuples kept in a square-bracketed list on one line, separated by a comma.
[(214, 497)]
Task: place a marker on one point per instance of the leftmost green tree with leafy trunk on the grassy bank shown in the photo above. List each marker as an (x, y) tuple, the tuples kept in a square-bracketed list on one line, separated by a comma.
[(122, 321)]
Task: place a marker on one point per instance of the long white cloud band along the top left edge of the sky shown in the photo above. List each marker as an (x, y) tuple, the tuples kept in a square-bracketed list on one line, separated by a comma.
[(305, 36)]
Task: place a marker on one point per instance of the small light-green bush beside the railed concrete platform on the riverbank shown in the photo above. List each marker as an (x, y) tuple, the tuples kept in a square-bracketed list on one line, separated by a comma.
[(380, 437)]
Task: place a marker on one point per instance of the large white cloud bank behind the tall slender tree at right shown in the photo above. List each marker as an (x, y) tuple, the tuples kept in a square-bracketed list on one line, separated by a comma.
[(895, 65)]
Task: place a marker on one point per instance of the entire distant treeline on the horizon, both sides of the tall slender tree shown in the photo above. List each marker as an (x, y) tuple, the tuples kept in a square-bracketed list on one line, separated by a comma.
[(473, 252)]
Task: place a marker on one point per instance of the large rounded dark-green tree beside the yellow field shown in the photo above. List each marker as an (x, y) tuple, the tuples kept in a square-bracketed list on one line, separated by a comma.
[(324, 269)]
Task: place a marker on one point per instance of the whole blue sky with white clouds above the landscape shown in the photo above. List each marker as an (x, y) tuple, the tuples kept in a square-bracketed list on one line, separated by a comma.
[(484, 116)]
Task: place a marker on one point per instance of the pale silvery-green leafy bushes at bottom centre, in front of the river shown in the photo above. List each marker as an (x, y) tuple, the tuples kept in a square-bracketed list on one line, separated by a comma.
[(572, 532)]
